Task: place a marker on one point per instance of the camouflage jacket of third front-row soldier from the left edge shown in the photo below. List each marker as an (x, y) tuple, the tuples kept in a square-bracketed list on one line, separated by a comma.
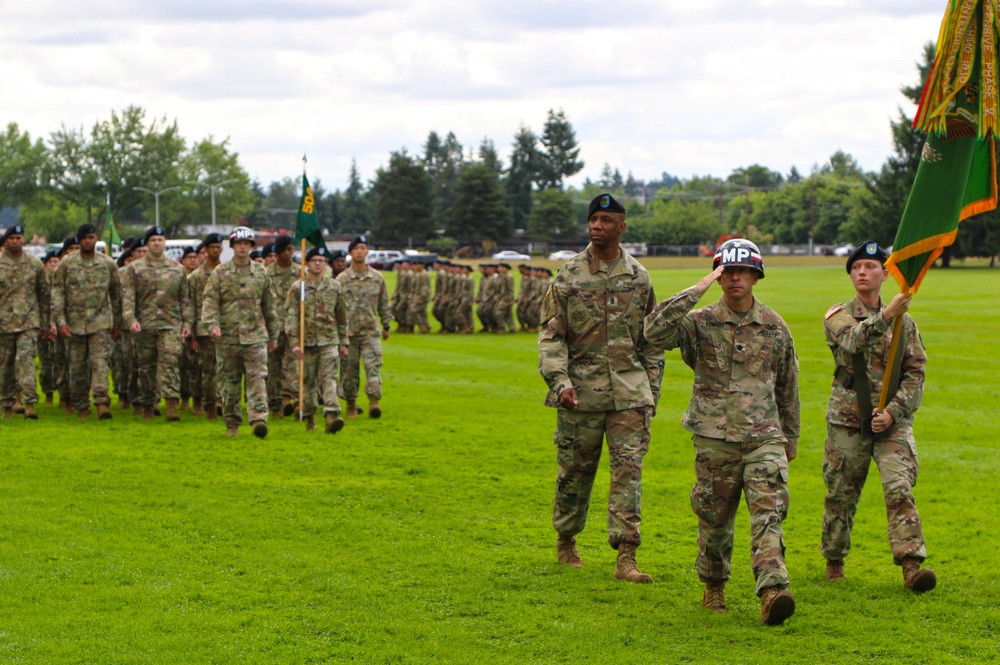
[(155, 294)]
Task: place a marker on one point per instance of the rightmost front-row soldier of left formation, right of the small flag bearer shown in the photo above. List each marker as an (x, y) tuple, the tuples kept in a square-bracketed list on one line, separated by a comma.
[(367, 307)]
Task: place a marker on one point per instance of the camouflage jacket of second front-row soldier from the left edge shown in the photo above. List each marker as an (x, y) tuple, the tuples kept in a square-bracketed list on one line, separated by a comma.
[(87, 295)]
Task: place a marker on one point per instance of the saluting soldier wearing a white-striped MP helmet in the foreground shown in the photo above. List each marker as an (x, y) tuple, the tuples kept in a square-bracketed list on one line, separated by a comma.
[(744, 417)]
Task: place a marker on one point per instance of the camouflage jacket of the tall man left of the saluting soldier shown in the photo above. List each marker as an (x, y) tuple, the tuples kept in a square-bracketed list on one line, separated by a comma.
[(591, 337)]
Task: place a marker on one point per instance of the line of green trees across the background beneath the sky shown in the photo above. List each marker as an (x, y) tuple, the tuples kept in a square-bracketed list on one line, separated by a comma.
[(447, 195)]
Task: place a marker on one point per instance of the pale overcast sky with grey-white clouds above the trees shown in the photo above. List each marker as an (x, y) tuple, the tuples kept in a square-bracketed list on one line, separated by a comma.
[(694, 87)]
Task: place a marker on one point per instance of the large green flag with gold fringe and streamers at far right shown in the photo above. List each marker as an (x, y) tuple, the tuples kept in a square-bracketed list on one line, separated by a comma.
[(957, 177)]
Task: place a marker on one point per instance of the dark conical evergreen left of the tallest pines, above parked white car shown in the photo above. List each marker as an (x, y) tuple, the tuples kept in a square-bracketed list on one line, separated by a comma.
[(480, 210)]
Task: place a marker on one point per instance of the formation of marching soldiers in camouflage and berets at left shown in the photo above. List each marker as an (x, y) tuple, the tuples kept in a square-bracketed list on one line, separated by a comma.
[(190, 332)]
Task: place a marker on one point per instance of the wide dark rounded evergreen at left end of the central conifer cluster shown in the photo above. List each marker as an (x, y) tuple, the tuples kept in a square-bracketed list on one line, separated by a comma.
[(404, 211)]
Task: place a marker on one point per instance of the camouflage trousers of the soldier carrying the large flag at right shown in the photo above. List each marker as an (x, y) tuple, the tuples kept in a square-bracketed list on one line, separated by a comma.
[(846, 459)]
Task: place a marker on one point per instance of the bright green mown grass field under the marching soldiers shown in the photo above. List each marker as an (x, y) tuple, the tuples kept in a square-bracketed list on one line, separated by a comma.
[(426, 535)]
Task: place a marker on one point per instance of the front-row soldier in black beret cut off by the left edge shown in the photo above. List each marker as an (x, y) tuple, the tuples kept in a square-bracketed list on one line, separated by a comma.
[(24, 292)]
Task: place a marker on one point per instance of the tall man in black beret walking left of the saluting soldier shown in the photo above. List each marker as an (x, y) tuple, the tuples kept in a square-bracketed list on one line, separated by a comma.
[(604, 377)]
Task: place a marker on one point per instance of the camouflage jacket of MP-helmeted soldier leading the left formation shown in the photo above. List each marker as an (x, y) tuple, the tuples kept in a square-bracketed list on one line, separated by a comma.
[(240, 301)]
